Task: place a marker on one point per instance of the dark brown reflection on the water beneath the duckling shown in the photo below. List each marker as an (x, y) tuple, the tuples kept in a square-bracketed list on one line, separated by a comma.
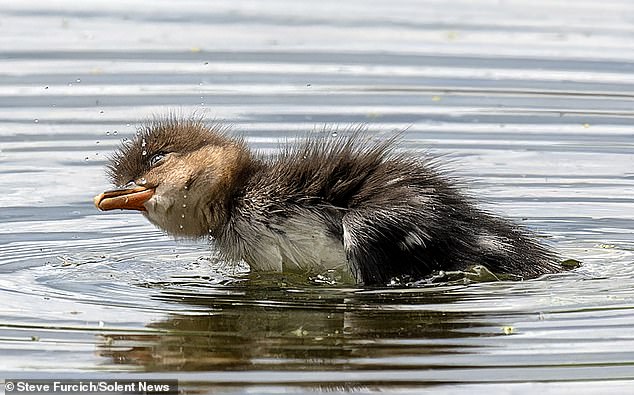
[(324, 328)]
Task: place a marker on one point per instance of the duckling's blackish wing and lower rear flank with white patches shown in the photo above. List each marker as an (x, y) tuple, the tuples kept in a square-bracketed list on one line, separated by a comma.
[(385, 242)]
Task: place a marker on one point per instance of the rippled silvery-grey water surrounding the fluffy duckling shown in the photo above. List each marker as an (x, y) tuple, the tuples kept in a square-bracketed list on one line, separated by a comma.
[(530, 102)]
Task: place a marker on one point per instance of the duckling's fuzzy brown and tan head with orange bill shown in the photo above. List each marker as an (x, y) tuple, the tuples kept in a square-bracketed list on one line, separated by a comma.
[(179, 173)]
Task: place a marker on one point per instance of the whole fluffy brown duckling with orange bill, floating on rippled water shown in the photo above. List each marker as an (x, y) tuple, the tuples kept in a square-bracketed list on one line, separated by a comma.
[(326, 203)]
